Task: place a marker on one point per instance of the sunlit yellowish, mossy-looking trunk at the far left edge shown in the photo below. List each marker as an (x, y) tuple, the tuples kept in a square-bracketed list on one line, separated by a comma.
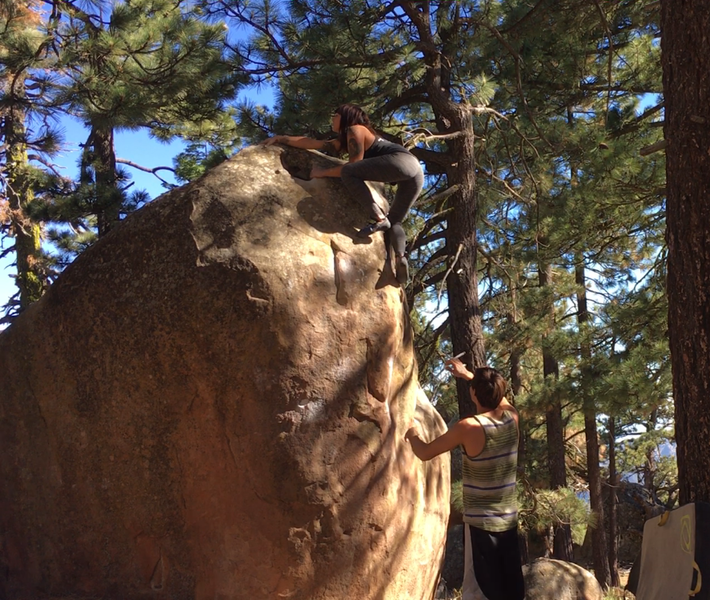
[(27, 234)]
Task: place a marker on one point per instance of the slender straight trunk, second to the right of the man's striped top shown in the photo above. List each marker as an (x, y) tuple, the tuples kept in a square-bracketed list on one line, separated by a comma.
[(599, 542)]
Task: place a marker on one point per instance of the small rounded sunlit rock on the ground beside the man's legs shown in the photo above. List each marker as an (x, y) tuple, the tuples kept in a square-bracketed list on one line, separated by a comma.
[(546, 579)]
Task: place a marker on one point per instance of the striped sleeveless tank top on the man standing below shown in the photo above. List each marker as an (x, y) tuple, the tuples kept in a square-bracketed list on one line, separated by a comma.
[(489, 497)]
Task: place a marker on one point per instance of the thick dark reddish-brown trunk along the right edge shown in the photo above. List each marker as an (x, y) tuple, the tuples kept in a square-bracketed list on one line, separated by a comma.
[(686, 86)]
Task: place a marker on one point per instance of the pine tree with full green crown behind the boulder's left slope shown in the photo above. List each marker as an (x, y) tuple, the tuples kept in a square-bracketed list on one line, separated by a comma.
[(140, 64)]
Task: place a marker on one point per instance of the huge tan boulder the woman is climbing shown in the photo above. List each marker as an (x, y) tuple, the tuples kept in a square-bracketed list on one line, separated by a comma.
[(210, 403)]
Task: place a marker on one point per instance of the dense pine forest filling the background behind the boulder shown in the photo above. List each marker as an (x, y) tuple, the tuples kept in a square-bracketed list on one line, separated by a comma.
[(537, 245)]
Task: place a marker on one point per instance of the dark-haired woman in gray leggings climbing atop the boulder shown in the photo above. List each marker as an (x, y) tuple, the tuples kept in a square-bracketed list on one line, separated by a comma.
[(370, 158)]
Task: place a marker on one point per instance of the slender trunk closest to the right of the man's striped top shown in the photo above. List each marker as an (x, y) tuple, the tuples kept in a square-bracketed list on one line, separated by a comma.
[(555, 432)]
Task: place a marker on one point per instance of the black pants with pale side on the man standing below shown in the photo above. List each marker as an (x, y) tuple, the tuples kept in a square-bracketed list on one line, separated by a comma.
[(496, 563)]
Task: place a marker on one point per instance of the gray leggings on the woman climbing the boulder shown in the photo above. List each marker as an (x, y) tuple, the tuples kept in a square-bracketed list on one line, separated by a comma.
[(401, 168)]
